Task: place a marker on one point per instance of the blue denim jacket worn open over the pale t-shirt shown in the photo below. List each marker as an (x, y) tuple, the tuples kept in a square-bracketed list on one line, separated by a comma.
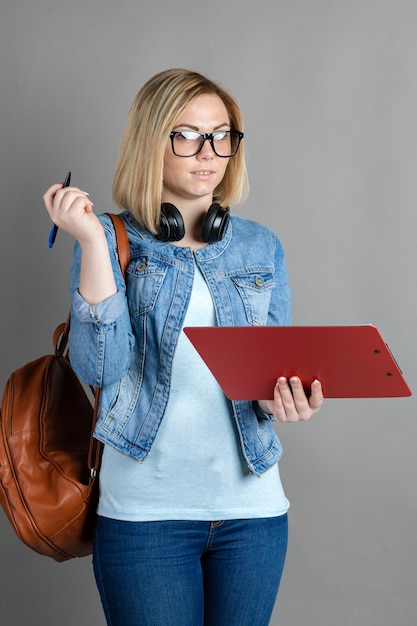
[(126, 344)]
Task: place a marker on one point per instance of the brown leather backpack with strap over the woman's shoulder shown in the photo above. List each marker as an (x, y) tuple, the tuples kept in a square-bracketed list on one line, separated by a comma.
[(49, 459)]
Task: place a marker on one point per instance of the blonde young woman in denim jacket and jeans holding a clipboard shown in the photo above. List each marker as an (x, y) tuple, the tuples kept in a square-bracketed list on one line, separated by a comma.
[(192, 517)]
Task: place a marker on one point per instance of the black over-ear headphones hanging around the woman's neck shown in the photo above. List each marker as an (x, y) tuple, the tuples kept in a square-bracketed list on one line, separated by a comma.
[(171, 226)]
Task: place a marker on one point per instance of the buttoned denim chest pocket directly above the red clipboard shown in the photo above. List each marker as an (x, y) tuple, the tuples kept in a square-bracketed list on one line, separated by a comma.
[(255, 290)]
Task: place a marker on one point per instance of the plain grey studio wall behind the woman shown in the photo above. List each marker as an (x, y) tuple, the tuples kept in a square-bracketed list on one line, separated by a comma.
[(330, 100)]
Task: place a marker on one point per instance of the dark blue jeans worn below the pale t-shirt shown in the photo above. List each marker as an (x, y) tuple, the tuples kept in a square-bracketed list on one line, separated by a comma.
[(189, 573)]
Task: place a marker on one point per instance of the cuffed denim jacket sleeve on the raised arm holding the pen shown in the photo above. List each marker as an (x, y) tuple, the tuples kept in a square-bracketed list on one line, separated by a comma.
[(101, 338)]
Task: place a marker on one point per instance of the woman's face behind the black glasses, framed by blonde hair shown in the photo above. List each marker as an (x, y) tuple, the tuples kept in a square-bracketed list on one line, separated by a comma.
[(190, 181)]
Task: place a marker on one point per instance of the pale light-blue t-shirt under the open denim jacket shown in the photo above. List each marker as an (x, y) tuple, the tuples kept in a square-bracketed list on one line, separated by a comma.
[(195, 470)]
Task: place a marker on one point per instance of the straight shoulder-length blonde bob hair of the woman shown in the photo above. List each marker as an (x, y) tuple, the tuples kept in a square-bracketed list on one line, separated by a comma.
[(138, 178)]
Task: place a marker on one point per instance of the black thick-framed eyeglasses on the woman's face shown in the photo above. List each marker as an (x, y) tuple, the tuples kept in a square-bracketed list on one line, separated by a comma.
[(224, 143)]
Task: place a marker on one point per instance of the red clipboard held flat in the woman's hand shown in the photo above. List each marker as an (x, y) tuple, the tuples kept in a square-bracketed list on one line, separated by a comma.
[(350, 361)]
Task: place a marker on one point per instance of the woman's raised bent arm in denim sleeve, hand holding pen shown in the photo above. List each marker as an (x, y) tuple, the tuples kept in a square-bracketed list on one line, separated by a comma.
[(101, 338)]
